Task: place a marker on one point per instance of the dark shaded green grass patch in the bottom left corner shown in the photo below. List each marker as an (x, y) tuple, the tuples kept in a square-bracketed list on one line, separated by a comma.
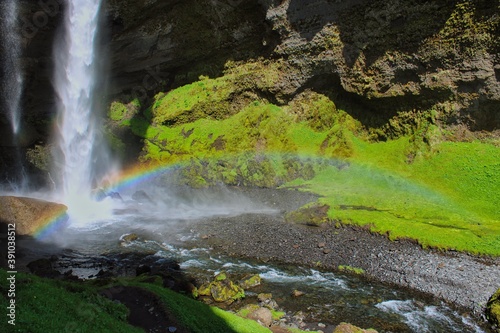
[(50, 306)]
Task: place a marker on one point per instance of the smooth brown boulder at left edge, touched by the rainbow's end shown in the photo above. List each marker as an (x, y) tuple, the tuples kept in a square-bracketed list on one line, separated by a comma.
[(30, 215)]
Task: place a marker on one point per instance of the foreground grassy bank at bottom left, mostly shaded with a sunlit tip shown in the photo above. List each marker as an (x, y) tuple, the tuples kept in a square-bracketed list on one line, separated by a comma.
[(45, 305)]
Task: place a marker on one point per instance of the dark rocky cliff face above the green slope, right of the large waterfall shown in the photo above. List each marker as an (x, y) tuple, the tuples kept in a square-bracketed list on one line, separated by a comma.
[(385, 57)]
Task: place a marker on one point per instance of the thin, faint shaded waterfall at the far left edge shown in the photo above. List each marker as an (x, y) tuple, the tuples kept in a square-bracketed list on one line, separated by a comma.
[(12, 82)]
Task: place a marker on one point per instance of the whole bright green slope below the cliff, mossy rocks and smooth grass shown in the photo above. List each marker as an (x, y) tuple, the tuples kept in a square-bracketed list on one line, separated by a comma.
[(447, 197)]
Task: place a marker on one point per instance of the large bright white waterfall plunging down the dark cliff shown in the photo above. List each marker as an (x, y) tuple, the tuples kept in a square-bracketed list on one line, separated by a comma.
[(78, 143)]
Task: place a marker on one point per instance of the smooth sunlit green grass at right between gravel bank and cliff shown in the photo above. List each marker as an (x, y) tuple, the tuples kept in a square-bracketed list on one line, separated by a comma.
[(446, 201)]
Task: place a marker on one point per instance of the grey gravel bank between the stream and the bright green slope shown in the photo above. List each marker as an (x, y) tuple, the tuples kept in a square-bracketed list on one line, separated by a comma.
[(464, 280)]
